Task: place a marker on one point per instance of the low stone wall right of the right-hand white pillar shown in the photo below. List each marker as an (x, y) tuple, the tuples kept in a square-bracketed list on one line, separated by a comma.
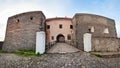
[(105, 44)]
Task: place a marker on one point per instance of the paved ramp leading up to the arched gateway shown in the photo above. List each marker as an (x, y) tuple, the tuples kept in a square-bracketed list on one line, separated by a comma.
[(62, 48)]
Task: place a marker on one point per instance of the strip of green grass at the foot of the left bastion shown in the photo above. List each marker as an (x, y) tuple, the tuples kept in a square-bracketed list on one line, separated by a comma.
[(23, 53)]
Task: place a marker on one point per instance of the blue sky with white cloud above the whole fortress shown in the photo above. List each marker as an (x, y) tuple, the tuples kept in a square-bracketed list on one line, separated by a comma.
[(59, 8)]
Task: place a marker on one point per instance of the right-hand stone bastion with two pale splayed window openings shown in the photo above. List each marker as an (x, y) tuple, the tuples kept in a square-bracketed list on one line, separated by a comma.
[(98, 26)]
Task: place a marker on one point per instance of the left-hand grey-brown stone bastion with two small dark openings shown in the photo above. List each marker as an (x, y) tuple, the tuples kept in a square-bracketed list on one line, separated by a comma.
[(21, 30)]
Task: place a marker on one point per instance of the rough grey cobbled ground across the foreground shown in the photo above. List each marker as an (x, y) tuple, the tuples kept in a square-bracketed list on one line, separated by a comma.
[(70, 60)]
